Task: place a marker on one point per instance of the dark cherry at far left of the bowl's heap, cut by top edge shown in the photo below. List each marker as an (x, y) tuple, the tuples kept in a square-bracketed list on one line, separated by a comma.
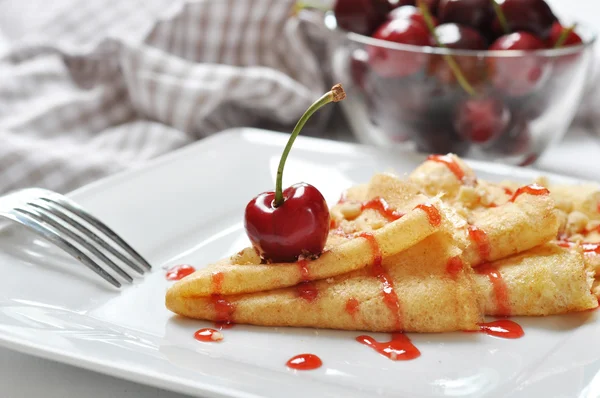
[(361, 16)]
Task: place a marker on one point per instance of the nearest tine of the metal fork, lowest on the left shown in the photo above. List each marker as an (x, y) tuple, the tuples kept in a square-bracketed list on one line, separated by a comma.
[(32, 222)]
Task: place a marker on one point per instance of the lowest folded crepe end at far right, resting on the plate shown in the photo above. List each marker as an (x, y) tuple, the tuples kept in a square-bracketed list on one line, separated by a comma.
[(546, 280)]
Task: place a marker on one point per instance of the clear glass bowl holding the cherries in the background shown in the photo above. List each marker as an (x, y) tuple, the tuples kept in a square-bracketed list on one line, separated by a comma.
[(514, 105)]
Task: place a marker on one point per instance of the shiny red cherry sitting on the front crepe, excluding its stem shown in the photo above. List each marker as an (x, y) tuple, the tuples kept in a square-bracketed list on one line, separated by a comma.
[(299, 226)]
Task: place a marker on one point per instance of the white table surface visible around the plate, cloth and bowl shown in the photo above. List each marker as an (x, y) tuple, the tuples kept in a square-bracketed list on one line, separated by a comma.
[(23, 376)]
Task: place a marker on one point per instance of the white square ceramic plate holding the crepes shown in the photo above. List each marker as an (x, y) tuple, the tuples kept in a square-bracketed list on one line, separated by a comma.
[(187, 207)]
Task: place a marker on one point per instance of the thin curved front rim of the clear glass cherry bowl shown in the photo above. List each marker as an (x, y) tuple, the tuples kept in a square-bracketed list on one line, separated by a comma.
[(589, 41)]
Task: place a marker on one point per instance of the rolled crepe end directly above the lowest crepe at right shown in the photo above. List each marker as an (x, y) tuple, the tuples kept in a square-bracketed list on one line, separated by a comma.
[(509, 229)]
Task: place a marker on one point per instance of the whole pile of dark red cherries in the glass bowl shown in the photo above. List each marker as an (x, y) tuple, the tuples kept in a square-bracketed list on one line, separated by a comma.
[(418, 95)]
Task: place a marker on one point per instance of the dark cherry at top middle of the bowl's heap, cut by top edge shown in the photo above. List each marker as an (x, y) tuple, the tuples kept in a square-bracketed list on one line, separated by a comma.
[(473, 13)]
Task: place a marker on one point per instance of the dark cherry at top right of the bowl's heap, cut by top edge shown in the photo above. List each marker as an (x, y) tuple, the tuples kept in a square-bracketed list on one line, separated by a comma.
[(534, 16)]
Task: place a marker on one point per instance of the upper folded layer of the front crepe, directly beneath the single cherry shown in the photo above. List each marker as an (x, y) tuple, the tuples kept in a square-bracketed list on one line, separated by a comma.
[(245, 274)]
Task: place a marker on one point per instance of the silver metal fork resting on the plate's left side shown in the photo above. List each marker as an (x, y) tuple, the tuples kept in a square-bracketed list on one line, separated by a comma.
[(62, 222)]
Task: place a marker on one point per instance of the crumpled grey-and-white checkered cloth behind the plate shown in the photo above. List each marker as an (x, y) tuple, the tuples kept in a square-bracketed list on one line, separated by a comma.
[(108, 84)]
